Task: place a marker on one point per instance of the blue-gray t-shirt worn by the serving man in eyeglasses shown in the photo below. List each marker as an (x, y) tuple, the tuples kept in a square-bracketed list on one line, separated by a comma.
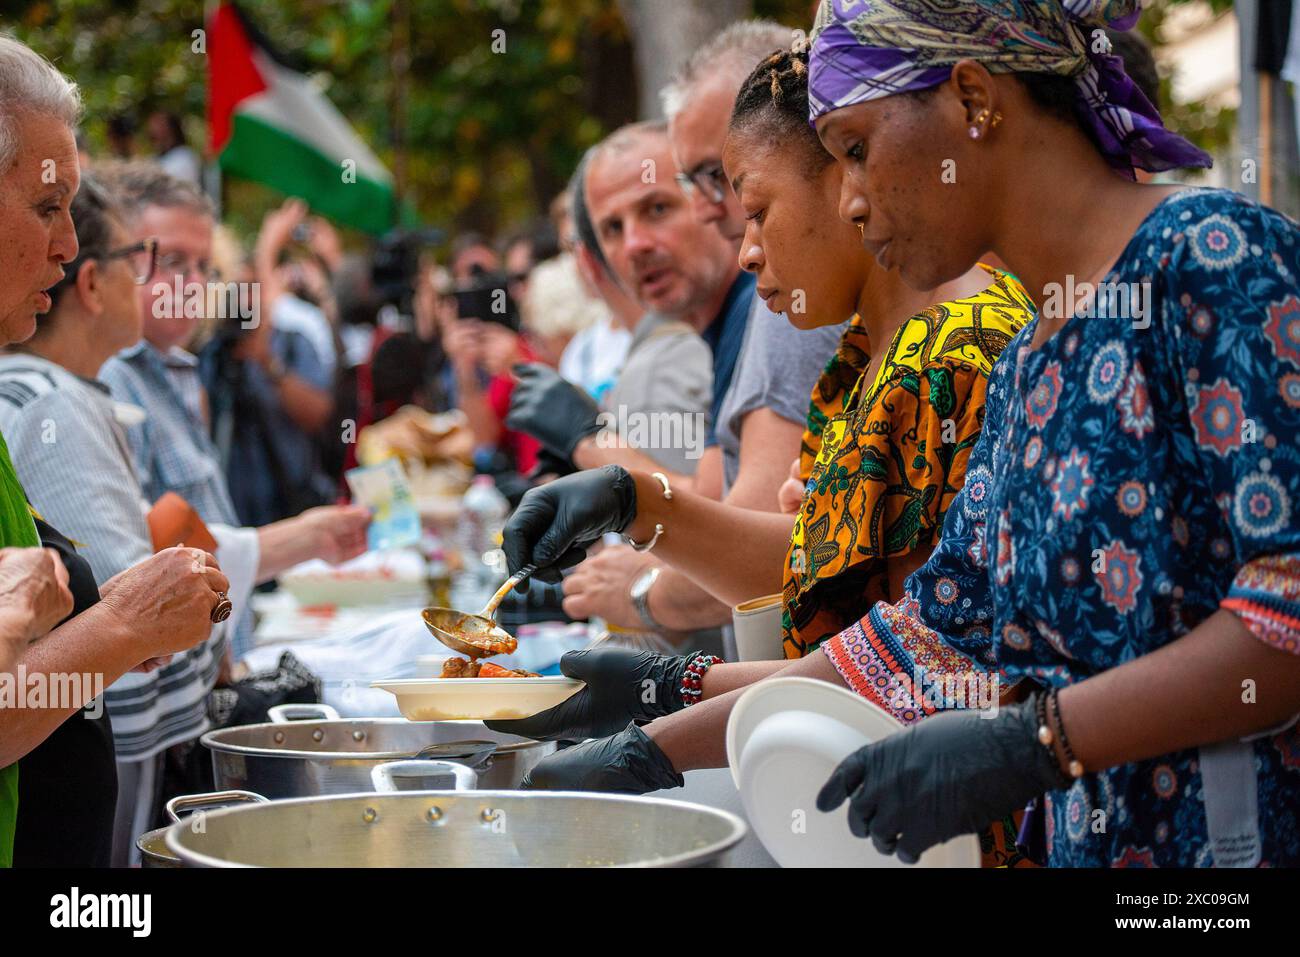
[(778, 369)]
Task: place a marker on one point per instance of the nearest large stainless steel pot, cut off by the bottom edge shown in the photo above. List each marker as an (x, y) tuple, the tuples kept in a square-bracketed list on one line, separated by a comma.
[(467, 829)]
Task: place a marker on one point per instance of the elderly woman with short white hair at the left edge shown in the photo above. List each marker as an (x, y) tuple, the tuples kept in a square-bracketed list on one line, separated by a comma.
[(59, 808)]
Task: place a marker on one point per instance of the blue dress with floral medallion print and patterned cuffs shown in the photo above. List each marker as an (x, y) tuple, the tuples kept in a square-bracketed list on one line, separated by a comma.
[(1138, 473)]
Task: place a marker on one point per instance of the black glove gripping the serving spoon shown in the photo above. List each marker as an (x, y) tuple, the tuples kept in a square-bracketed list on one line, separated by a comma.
[(557, 522)]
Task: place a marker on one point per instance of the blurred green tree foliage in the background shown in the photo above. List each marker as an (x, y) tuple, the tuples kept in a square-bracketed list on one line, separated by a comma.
[(484, 125)]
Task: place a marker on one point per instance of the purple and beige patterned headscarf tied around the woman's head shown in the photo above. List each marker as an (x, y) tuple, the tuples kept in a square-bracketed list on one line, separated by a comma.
[(865, 50)]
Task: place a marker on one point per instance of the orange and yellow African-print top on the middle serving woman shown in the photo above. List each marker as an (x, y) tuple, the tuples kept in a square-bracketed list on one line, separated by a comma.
[(894, 457)]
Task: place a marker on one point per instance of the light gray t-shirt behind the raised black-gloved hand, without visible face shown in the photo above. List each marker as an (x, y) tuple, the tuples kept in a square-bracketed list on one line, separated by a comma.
[(661, 401)]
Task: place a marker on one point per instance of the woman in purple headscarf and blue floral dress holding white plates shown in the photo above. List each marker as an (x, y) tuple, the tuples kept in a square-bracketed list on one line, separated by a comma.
[(1126, 547)]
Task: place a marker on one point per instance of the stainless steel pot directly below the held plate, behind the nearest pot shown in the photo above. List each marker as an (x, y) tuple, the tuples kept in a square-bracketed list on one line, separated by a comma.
[(335, 756)]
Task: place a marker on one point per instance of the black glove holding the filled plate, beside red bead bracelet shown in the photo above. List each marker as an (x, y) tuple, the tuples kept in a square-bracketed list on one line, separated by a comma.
[(622, 686)]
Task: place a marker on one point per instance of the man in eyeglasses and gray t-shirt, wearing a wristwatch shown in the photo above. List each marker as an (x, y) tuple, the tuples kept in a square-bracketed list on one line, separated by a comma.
[(772, 367)]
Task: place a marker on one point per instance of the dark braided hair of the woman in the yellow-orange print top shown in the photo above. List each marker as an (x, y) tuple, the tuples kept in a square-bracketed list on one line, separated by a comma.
[(775, 101)]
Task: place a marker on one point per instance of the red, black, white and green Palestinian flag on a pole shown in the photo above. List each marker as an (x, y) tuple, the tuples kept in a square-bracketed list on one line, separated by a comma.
[(270, 124)]
